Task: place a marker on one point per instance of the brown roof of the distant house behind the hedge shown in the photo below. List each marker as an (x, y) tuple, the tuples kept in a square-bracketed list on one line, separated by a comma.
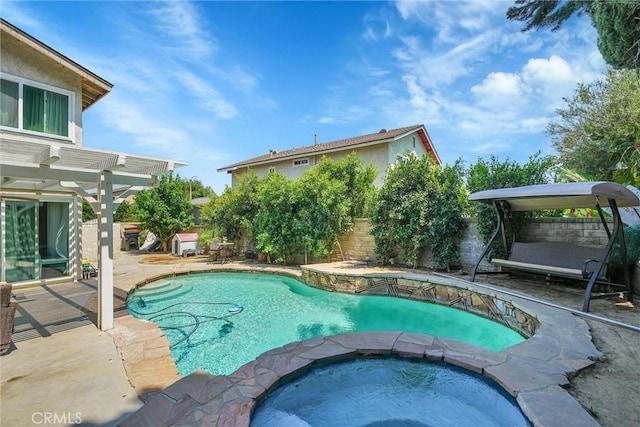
[(383, 136)]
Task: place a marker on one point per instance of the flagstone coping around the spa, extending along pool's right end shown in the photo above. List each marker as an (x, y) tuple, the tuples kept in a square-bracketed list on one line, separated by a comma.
[(534, 371)]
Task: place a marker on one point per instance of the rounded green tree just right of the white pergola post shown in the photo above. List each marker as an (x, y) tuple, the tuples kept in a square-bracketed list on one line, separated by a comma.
[(164, 210)]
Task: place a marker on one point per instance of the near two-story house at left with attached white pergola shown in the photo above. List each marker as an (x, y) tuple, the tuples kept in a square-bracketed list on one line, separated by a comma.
[(45, 170)]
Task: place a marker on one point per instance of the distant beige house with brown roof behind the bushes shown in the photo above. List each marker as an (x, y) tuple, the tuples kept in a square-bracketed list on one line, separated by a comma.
[(379, 149)]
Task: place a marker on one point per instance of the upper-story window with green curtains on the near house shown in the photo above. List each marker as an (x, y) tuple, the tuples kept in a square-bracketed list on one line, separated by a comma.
[(43, 109)]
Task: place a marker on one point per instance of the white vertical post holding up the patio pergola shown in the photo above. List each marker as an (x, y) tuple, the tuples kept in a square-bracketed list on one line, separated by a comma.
[(105, 251)]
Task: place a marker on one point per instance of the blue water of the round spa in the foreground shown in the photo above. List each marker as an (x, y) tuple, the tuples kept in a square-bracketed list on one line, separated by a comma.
[(388, 392)]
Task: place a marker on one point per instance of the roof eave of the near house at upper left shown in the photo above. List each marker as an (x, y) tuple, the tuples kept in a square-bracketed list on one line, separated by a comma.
[(94, 87)]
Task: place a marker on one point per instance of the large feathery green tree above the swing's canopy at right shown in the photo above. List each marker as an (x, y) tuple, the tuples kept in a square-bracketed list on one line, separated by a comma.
[(599, 130)]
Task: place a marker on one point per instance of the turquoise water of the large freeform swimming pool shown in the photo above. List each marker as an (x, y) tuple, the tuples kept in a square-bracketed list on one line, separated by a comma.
[(217, 322)]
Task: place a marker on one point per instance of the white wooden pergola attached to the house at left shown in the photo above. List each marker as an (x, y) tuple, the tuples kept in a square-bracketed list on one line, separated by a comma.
[(38, 168)]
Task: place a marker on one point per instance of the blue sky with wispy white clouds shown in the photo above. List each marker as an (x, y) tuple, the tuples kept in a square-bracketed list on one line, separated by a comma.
[(213, 83)]
